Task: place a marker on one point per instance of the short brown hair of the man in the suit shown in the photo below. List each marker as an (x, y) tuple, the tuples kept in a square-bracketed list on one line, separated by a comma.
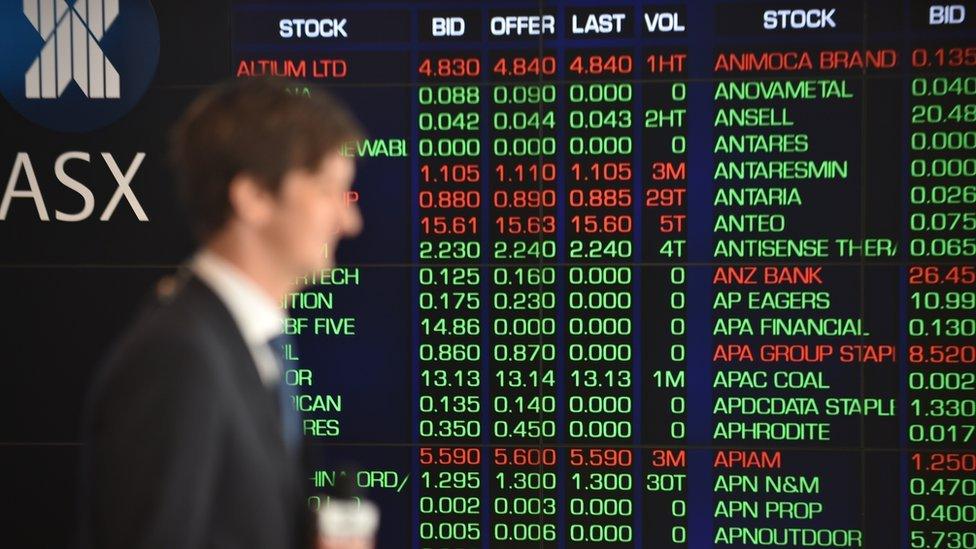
[(253, 127)]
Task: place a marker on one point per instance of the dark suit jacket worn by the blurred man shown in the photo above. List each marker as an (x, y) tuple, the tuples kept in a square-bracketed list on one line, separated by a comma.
[(183, 448)]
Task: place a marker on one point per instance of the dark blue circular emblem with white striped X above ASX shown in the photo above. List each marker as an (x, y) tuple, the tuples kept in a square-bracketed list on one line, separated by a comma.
[(76, 65)]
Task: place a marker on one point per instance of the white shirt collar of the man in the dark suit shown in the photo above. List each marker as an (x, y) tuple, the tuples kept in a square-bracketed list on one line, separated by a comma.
[(258, 317)]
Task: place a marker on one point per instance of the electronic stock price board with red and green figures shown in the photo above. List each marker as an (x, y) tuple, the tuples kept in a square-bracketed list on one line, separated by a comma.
[(657, 275)]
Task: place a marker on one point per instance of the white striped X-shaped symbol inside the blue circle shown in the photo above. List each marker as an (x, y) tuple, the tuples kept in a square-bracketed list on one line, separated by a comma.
[(71, 50)]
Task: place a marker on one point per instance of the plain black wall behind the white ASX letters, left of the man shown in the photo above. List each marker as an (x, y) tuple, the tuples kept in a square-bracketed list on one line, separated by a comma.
[(67, 289)]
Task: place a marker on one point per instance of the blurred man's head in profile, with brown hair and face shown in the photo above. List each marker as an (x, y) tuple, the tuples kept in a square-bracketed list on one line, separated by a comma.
[(263, 166)]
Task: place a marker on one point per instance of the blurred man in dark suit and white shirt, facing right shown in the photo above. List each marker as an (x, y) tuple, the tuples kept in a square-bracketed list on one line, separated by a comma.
[(191, 439)]
